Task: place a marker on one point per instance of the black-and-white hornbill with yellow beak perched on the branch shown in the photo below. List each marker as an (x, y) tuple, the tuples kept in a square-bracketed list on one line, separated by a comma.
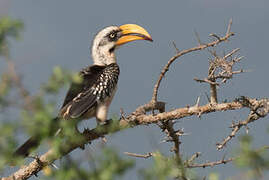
[(92, 97)]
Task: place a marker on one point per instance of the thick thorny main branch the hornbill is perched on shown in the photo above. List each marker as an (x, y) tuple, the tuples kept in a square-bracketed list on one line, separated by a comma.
[(130, 121)]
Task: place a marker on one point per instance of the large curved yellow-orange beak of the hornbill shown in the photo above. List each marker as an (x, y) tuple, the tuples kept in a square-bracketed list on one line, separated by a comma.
[(132, 32)]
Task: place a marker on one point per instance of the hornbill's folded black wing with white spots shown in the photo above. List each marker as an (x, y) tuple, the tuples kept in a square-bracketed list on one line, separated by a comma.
[(97, 83)]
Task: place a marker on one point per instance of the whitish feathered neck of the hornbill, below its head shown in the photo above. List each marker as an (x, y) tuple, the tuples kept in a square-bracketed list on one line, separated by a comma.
[(103, 57)]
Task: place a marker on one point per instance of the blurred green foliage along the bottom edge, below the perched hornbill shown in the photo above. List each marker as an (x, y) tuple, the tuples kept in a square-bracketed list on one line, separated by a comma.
[(109, 166)]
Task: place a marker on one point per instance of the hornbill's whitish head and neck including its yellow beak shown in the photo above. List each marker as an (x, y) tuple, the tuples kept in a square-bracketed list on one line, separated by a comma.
[(110, 38)]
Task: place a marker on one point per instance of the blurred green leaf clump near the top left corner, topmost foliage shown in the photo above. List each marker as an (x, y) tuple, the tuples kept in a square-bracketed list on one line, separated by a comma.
[(9, 28)]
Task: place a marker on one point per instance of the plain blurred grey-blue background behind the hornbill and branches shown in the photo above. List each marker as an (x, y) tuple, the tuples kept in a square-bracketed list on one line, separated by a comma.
[(60, 33)]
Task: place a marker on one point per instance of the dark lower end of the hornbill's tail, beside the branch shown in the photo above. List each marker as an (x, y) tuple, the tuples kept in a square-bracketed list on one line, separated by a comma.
[(24, 149)]
